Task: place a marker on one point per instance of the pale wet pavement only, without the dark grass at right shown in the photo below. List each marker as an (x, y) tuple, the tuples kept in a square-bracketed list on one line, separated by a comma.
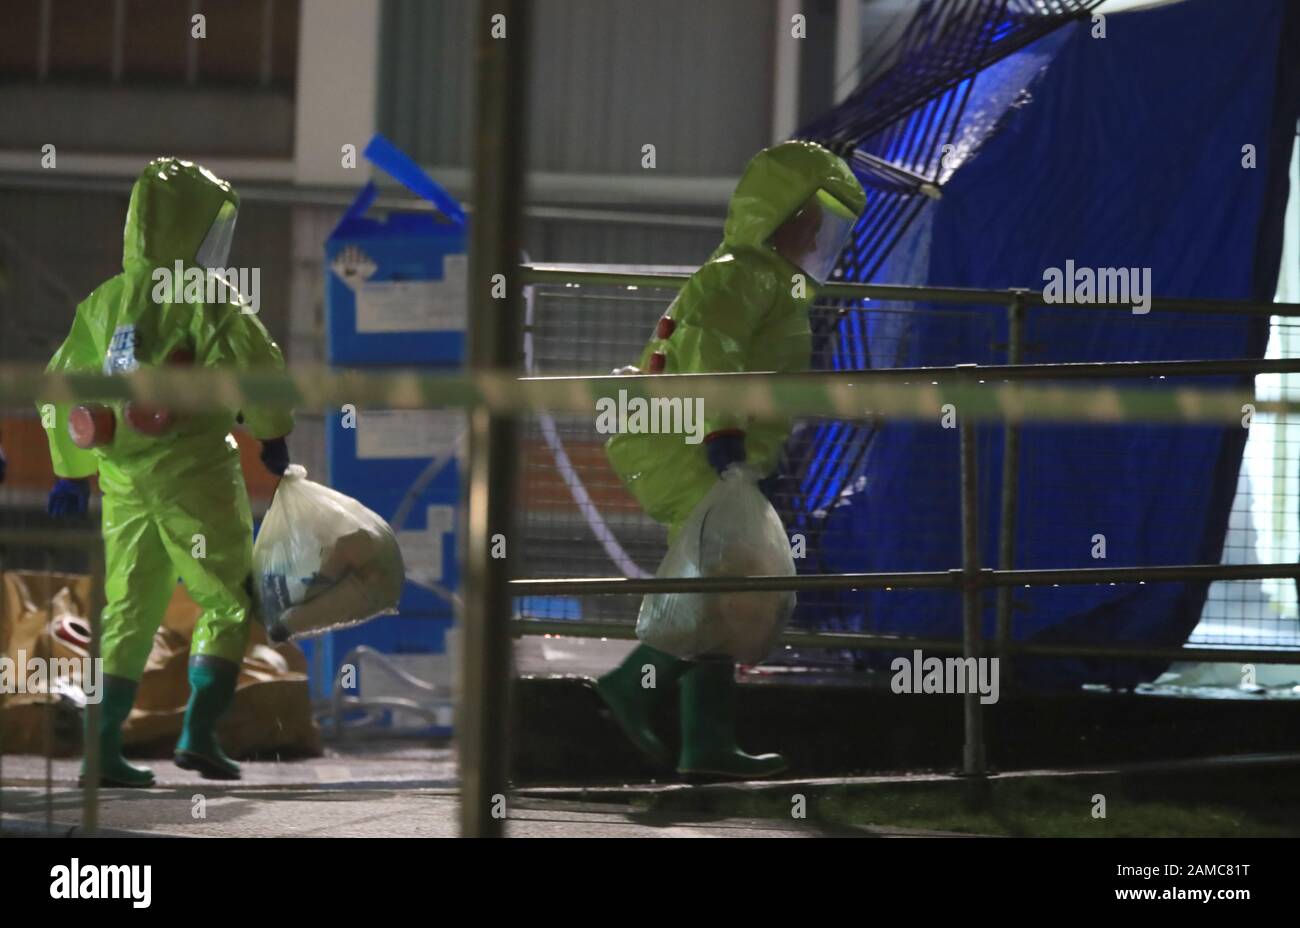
[(367, 790)]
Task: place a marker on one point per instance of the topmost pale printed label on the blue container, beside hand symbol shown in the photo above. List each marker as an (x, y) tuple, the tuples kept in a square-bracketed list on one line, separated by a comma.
[(417, 306)]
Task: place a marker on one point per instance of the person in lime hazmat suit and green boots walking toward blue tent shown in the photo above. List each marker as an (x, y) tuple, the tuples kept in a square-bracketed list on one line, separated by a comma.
[(746, 310)]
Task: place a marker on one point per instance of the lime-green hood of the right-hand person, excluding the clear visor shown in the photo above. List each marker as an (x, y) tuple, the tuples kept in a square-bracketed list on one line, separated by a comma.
[(777, 183)]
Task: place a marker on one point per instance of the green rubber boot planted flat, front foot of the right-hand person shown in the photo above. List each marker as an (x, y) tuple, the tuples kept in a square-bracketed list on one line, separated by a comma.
[(709, 728)]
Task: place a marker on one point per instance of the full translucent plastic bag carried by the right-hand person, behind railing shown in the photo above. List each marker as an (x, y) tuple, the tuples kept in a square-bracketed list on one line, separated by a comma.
[(733, 532)]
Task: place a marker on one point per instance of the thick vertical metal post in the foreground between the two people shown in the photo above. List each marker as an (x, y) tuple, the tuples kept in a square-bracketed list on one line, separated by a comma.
[(501, 138)]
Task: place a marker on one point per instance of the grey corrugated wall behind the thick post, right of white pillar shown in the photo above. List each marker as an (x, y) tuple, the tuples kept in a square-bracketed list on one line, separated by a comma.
[(608, 77)]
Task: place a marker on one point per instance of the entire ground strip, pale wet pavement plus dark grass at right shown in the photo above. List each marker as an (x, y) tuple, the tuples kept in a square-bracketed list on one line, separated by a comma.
[(401, 790)]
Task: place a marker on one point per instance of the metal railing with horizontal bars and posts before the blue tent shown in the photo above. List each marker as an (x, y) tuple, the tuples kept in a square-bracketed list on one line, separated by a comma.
[(972, 582)]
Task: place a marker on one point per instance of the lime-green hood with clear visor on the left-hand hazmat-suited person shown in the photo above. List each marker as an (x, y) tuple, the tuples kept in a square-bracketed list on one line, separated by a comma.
[(179, 213)]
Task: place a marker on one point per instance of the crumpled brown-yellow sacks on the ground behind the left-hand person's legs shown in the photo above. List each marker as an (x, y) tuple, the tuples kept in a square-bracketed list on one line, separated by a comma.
[(44, 615)]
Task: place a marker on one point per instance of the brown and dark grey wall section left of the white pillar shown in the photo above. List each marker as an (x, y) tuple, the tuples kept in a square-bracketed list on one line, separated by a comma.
[(127, 77)]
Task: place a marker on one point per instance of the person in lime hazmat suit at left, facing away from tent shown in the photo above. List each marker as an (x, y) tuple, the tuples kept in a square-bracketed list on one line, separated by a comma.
[(175, 501)]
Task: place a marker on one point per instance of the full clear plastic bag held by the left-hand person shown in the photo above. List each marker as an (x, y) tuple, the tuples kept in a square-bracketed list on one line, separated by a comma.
[(323, 561)]
